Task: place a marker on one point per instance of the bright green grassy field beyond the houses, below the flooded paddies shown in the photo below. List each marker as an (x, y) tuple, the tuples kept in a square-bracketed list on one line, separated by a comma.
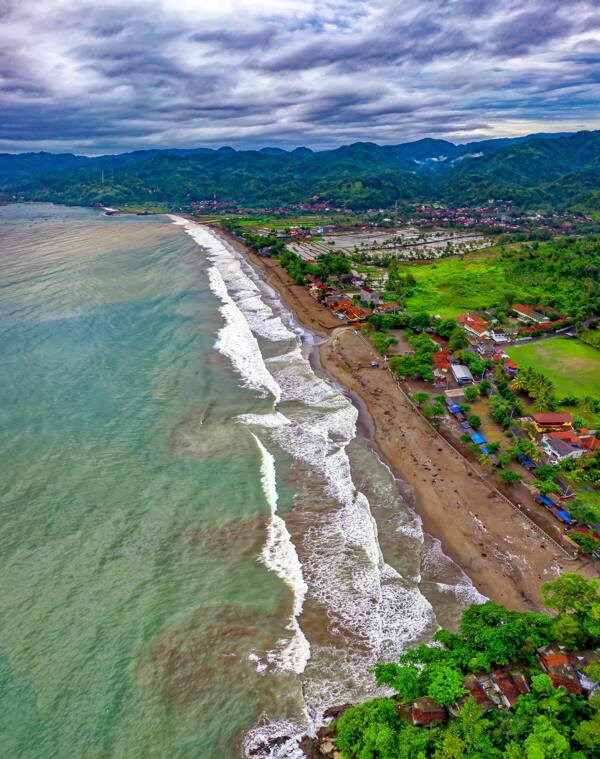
[(453, 285)]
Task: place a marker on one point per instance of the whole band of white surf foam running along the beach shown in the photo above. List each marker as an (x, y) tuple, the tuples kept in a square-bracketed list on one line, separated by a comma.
[(344, 570)]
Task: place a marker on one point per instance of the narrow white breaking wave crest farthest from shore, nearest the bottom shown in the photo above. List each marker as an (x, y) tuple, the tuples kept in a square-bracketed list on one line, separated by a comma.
[(280, 556)]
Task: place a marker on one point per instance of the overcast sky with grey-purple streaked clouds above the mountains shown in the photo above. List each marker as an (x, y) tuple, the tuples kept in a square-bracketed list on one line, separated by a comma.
[(97, 77)]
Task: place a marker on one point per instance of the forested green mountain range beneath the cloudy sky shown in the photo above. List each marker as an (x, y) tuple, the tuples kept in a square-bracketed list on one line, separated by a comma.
[(535, 171)]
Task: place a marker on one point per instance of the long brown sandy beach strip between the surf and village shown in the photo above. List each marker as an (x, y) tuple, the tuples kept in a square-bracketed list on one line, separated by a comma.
[(502, 553)]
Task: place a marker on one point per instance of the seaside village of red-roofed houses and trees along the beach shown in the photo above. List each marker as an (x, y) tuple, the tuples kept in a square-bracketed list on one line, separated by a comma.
[(462, 374)]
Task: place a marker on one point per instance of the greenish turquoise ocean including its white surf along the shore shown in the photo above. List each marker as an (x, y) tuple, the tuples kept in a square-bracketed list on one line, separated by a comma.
[(199, 549)]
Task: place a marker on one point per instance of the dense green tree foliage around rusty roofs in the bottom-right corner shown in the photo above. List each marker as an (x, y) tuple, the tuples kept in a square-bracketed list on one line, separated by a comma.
[(546, 723)]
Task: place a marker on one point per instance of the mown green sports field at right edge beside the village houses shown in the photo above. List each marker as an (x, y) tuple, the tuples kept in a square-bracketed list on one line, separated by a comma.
[(573, 367)]
